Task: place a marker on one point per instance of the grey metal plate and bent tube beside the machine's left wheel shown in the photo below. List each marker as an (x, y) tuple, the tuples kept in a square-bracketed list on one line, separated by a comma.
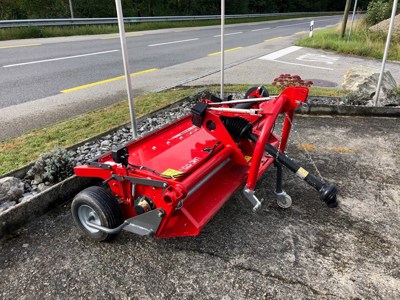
[(144, 224)]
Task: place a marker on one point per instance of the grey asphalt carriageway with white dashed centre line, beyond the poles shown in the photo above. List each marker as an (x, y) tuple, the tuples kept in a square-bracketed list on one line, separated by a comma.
[(45, 67)]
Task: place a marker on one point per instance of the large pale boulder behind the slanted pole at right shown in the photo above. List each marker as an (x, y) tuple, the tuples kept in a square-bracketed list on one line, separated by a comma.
[(362, 81)]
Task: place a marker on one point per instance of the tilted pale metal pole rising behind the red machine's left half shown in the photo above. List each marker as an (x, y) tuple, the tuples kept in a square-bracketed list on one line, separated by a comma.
[(126, 66)]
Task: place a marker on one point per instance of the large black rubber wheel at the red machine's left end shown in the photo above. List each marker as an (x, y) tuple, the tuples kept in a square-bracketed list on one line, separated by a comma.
[(99, 206)]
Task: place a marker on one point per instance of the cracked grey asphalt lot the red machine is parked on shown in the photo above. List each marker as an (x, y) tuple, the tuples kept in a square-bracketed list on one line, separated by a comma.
[(305, 252)]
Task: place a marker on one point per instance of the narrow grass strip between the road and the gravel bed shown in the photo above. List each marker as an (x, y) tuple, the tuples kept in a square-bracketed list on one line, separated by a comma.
[(19, 151)]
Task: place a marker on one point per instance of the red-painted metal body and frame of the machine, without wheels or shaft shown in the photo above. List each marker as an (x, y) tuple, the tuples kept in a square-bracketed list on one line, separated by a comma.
[(200, 167)]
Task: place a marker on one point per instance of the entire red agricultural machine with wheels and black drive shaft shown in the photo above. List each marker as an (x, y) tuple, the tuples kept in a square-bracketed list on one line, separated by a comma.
[(171, 182)]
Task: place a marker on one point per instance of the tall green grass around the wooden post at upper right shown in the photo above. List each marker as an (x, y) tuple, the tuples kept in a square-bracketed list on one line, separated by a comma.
[(362, 42)]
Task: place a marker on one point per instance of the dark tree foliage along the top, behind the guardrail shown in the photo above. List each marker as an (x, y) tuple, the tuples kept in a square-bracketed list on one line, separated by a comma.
[(43, 9)]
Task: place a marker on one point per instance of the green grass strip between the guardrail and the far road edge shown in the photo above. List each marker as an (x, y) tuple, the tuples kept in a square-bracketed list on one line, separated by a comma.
[(53, 31)]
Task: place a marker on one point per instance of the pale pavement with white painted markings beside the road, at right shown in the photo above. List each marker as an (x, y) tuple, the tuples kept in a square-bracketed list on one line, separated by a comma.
[(324, 68)]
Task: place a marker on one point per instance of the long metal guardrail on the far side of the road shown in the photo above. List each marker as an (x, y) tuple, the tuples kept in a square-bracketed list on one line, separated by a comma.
[(133, 20)]
